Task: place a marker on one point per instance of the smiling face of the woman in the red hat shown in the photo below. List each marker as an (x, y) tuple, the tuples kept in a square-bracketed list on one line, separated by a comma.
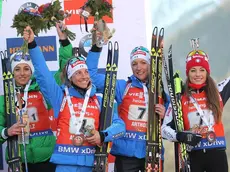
[(197, 75)]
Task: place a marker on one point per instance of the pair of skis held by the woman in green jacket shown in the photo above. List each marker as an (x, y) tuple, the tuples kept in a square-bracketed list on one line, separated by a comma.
[(10, 111)]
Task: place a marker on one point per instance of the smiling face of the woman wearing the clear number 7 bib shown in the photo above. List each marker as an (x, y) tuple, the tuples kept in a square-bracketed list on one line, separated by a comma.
[(140, 68)]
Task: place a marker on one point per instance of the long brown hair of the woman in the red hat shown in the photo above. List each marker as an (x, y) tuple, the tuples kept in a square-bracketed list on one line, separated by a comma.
[(213, 97)]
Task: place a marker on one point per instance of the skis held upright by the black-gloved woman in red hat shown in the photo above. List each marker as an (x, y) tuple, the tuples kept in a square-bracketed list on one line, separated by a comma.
[(174, 84)]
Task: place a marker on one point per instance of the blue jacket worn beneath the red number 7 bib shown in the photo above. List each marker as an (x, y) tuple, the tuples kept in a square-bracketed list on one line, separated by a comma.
[(121, 146)]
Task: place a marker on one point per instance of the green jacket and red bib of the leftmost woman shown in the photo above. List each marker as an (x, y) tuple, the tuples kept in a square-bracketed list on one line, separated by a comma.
[(41, 139)]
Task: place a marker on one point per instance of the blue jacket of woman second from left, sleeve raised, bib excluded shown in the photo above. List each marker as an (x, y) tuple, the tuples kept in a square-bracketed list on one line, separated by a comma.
[(54, 94)]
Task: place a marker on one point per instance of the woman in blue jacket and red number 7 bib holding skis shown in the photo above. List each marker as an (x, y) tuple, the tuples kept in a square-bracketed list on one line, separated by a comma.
[(132, 99)]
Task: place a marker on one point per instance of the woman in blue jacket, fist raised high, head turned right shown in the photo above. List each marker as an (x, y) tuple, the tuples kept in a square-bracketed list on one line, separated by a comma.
[(77, 108)]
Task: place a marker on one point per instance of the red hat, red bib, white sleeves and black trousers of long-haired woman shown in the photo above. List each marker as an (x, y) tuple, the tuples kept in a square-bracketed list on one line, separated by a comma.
[(209, 154)]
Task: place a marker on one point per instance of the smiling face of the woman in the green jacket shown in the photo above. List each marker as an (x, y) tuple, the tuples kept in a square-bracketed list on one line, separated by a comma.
[(22, 73)]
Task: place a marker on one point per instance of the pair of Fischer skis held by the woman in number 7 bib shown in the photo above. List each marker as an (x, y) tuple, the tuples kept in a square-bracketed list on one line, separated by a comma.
[(154, 143)]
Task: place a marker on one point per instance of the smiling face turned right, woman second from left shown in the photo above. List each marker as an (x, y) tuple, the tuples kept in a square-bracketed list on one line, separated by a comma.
[(81, 78)]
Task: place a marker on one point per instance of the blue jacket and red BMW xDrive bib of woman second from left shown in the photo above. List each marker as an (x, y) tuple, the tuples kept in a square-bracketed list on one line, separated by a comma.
[(66, 155)]
